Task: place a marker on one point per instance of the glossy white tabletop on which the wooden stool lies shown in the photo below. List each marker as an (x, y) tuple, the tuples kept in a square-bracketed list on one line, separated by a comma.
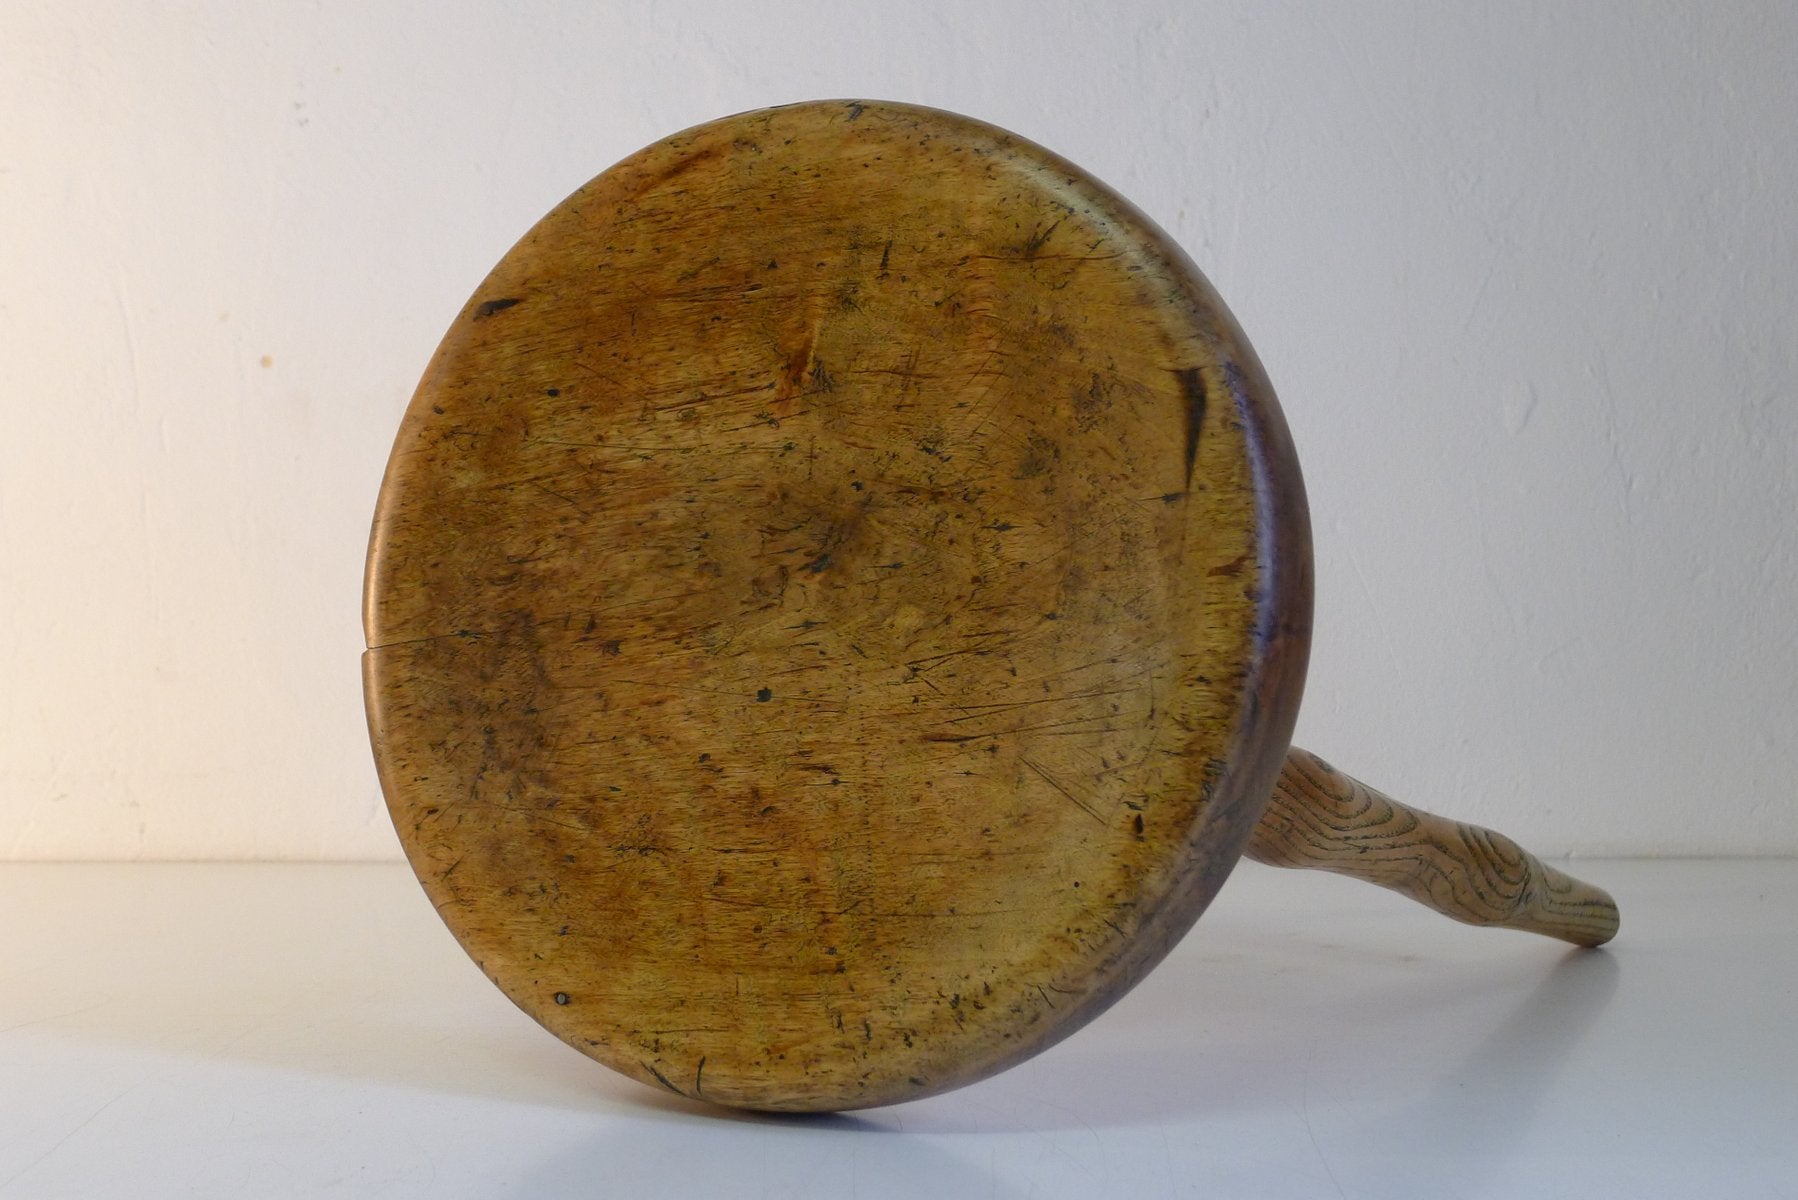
[(314, 1032)]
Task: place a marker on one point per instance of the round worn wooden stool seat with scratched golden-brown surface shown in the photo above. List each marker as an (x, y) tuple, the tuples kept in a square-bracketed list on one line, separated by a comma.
[(837, 607)]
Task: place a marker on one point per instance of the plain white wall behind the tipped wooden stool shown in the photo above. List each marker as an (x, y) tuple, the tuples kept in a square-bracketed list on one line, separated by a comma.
[(1526, 276)]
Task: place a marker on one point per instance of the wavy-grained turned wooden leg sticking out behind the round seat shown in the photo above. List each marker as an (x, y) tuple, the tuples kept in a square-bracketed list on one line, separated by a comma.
[(1326, 821)]
